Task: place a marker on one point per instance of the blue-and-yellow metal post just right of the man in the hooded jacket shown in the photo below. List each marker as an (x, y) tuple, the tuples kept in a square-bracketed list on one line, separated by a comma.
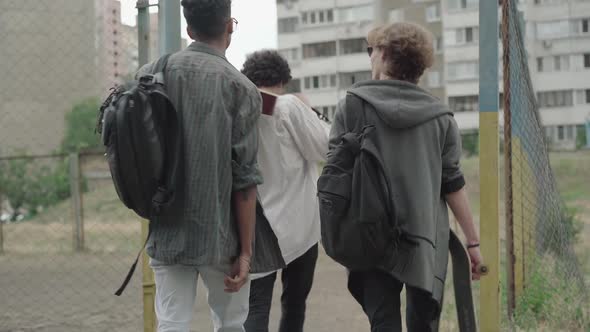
[(488, 165)]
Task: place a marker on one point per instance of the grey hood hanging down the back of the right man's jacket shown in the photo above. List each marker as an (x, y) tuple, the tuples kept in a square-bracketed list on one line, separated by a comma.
[(400, 104)]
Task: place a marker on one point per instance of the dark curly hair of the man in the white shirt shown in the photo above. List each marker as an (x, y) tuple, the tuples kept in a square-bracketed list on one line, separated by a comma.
[(267, 68)]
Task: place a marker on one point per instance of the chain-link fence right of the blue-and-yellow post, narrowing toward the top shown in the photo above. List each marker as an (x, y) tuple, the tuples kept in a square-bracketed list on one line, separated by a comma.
[(546, 287)]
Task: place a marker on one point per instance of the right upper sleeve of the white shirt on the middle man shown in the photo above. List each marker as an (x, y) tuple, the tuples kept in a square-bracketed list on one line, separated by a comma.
[(307, 130)]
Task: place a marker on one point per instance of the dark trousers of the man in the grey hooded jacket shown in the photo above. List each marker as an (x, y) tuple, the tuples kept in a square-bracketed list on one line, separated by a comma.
[(379, 295)]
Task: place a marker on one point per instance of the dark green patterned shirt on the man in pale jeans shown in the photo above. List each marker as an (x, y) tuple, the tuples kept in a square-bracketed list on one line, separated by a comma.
[(219, 109)]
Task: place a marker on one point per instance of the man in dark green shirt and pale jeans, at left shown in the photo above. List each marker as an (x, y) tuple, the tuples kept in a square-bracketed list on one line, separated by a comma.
[(209, 231)]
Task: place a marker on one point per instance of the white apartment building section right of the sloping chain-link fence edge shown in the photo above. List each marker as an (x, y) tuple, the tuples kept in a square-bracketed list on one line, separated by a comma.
[(559, 46)]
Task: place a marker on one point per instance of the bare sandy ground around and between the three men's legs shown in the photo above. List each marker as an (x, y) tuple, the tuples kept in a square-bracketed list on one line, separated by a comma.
[(74, 292)]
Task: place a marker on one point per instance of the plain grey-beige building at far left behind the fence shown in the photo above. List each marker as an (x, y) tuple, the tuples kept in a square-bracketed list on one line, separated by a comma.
[(48, 64)]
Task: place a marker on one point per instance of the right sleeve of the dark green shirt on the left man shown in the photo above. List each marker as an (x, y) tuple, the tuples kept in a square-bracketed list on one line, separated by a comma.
[(245, 170)]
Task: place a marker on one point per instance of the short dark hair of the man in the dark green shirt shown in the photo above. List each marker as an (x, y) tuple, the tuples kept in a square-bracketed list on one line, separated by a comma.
[(207, 18)]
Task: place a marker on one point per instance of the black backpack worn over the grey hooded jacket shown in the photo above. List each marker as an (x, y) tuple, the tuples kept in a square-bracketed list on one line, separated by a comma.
[(356, 209)]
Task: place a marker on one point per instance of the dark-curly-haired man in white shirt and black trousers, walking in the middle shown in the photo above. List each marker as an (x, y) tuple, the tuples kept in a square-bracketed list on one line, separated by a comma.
[(292, 142)]
